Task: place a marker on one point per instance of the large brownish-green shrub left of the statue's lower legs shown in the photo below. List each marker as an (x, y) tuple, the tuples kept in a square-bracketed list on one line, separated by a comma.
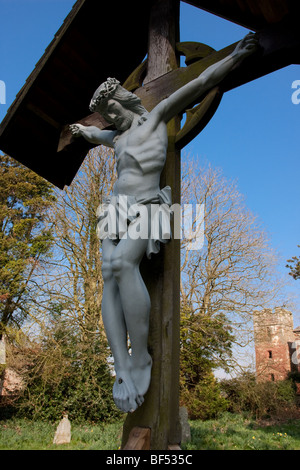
[(64, 373)]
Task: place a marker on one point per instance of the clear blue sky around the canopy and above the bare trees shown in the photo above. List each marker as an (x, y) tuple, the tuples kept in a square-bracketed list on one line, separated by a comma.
[(253, 136)]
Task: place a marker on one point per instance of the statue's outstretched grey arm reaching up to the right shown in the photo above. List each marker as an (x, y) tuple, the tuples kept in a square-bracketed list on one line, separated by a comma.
[(213, 75)]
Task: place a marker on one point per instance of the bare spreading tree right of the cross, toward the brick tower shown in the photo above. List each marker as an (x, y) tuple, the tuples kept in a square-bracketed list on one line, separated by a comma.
[(234, 273)]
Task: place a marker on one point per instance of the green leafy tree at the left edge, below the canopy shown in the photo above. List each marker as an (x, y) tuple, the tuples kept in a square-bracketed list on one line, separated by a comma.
[(25, 238)]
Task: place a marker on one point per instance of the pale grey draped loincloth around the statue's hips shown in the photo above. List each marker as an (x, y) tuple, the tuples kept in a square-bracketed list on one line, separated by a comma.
[(119, 215)]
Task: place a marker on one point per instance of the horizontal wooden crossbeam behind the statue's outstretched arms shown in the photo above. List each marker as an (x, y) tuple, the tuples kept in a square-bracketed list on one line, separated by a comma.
[(279, 47)]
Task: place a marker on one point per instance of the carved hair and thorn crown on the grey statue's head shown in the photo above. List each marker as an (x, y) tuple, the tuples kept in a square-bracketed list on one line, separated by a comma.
[(111, 89)]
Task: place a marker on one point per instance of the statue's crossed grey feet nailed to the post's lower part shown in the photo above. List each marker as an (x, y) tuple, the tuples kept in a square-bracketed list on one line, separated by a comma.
[(131, 384)]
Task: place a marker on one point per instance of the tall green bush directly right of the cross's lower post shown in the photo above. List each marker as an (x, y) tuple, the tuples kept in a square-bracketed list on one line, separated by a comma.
[(205, 345)]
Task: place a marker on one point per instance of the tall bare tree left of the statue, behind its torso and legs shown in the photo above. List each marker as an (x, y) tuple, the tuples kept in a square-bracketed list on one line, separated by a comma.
[(73, 279)]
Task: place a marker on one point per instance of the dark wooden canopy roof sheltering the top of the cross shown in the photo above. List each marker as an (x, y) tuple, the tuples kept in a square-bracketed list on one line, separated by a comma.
[(96, 40)]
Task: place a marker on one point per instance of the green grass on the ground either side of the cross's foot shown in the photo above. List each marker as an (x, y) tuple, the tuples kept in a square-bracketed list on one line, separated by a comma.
[(230, 432)]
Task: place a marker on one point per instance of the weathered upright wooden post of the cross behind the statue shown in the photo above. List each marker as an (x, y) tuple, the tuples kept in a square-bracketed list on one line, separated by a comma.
[(160, 411)]
